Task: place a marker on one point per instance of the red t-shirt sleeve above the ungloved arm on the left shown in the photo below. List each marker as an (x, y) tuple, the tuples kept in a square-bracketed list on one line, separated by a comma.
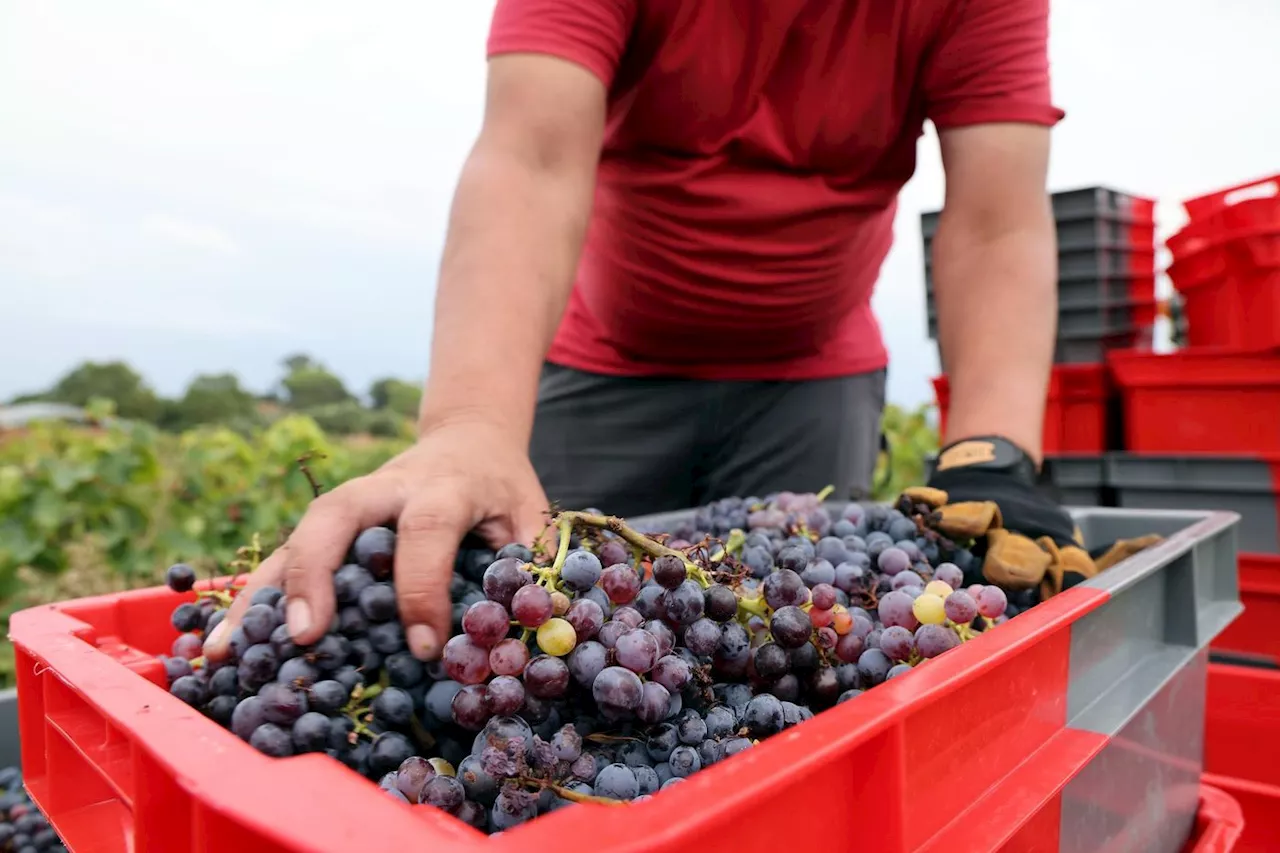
[(589, 33)]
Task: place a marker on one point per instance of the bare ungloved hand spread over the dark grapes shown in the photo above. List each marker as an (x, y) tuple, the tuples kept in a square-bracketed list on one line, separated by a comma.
[(458, 478)]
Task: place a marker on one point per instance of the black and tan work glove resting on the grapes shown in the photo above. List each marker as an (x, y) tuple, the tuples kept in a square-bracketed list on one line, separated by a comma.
[(985, 490)]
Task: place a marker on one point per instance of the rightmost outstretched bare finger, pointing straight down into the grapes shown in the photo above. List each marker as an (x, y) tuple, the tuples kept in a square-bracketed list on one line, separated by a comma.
[(427, 542)]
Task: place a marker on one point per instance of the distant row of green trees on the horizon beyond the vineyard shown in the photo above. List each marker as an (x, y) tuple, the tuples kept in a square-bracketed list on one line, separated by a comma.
[(390, 407)]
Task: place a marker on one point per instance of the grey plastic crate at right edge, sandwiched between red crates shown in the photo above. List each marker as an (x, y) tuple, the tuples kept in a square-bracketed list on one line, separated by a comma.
[(1237, 485)]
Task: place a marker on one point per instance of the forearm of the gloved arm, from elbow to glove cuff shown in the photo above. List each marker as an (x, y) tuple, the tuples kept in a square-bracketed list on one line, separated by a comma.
[(998, 313)]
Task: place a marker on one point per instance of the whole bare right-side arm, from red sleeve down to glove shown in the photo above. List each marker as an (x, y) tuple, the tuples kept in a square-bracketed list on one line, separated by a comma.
[(996, 281)]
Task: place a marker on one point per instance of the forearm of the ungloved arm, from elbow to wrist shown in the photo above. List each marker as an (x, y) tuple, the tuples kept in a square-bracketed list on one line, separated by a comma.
[(515, 235)]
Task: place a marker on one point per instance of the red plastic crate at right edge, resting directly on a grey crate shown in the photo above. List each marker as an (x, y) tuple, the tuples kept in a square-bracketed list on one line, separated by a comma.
[(1213, 402)]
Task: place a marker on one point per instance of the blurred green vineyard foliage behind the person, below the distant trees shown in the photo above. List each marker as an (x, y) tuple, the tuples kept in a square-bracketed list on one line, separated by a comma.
[(97, 510)]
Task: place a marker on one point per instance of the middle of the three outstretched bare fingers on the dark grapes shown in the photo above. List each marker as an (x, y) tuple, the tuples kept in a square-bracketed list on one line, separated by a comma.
[(321, 544)]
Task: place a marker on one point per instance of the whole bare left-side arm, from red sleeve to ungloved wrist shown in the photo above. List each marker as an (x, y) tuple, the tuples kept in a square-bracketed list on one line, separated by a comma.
[(516, 231)]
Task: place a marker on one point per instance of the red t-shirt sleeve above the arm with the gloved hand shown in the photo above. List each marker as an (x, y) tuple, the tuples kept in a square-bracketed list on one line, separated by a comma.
[(991, 65)]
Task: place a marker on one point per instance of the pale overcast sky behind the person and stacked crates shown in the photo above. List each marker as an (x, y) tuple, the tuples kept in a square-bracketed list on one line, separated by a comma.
[(209, 188)]
